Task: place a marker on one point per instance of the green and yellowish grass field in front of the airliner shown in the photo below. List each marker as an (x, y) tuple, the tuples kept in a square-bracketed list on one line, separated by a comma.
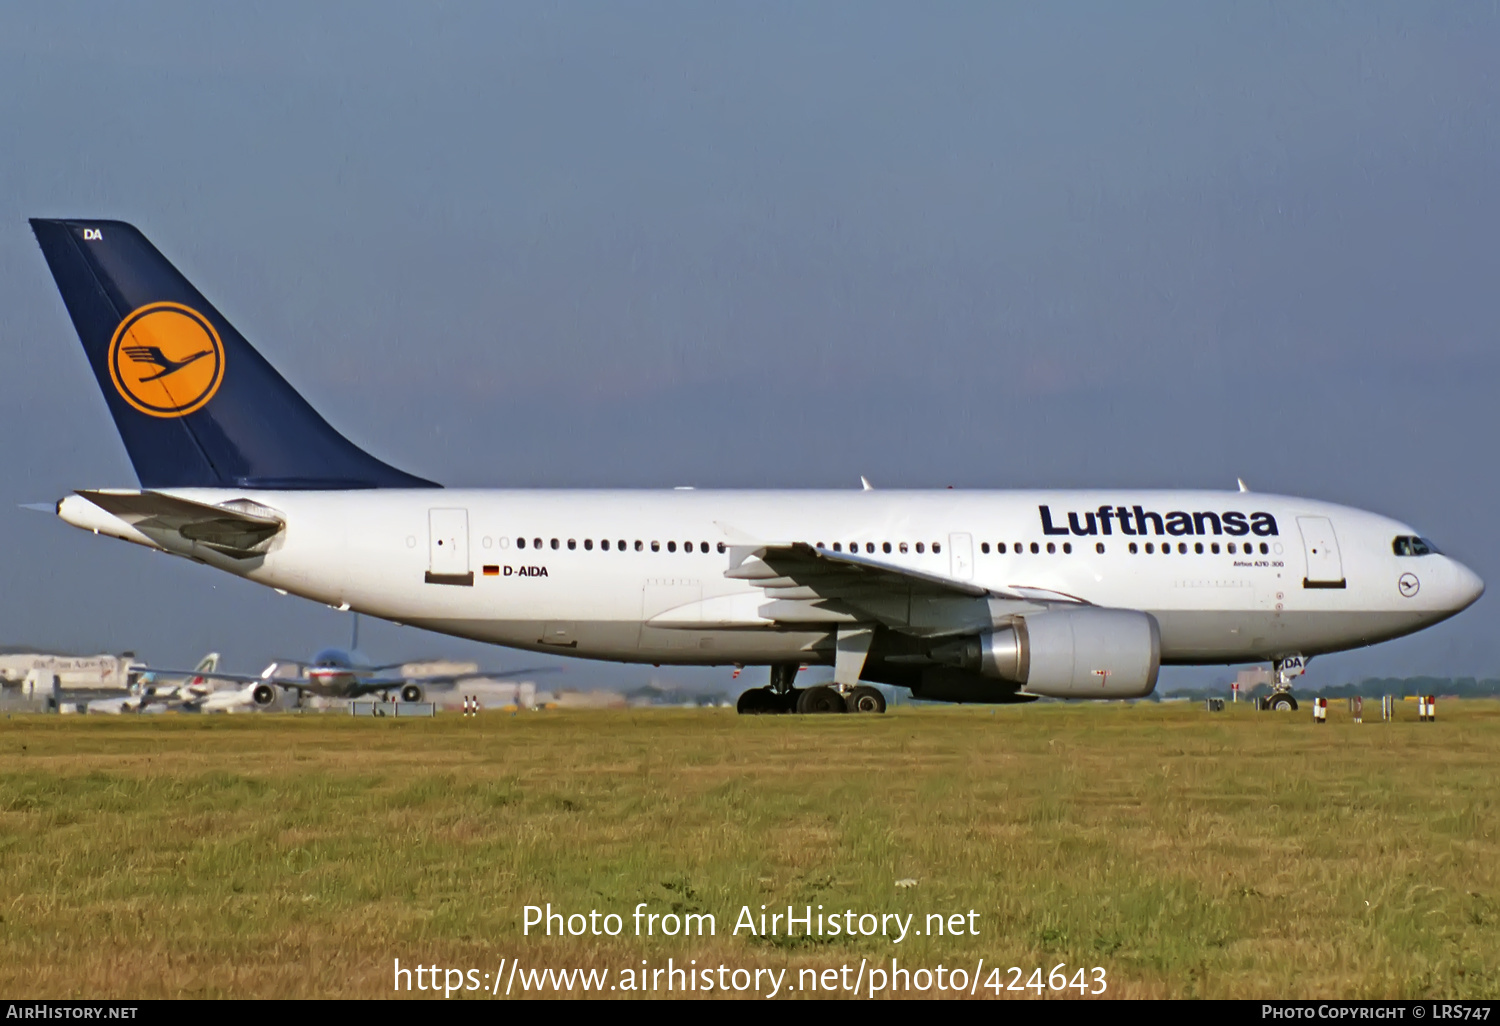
[(1240, 854)]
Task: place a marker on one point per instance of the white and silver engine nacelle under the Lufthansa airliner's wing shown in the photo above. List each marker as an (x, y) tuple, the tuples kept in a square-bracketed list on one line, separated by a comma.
[(1069, 653)]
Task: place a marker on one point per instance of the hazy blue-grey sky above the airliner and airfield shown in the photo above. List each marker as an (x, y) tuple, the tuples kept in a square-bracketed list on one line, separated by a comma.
[(773, 245)]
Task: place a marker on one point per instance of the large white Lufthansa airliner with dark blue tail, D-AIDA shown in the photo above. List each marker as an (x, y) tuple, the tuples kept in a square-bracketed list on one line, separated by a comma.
[(959, 596)]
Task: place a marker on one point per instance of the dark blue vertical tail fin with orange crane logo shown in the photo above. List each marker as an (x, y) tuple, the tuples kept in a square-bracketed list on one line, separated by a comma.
[(196, 404)]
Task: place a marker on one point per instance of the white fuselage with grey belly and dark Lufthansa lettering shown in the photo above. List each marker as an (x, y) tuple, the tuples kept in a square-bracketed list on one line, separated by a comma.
[(640, 575)]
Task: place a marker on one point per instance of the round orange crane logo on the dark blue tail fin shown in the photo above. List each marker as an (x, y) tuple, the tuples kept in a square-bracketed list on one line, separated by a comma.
[(167, 361)]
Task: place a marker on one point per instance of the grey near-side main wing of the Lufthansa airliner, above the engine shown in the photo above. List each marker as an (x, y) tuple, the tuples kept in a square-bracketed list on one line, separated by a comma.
[(805, 584)]
